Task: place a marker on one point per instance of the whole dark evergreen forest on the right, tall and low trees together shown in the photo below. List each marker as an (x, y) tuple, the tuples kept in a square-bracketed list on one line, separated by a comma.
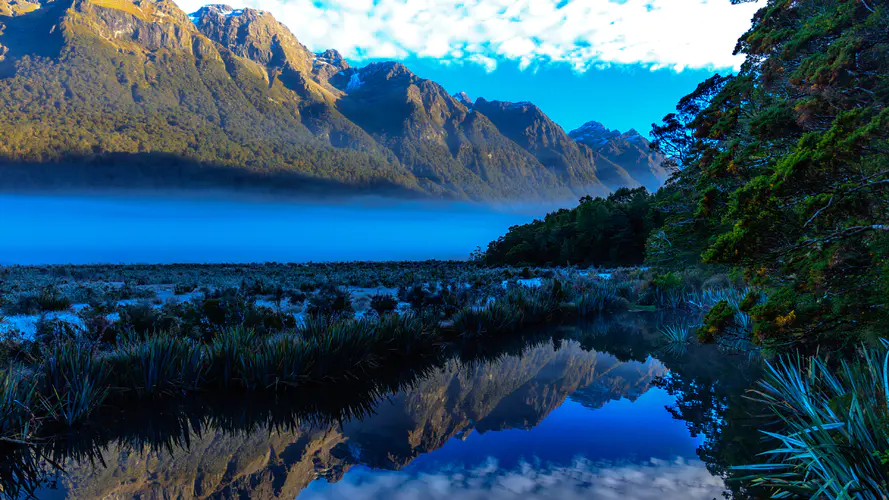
[(781, 171)]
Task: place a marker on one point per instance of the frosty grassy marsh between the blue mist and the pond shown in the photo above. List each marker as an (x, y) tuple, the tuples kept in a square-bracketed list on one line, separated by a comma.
[(222, 339)]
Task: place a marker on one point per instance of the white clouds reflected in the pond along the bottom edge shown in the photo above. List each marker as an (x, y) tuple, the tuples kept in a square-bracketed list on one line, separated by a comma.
[(584, 479)]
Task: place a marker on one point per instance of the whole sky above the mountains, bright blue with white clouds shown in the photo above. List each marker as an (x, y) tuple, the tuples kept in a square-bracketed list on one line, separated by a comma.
[(624, 63)]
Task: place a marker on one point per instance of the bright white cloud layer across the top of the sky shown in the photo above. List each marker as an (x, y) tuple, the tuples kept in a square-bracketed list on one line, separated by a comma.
[(676, 34)]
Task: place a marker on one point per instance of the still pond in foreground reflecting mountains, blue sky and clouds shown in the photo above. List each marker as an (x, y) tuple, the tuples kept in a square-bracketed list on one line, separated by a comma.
[(555, 419)]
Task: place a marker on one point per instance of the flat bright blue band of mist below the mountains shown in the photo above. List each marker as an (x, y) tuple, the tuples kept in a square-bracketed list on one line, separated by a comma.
[(154, 230)]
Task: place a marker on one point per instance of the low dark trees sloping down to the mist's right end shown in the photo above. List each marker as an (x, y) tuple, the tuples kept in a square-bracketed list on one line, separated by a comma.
[(601, 231)]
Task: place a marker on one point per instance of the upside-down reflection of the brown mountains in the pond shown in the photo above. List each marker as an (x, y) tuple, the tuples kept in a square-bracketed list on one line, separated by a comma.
[(514, 392)]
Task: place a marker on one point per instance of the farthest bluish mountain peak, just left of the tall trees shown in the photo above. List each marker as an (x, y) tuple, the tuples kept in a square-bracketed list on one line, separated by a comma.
[(630, 151)]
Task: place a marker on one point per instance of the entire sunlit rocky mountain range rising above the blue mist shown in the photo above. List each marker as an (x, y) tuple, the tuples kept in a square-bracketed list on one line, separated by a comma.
[(137, 93)]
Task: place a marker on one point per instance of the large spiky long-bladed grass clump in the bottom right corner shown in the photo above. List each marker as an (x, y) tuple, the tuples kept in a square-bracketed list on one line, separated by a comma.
[(834, 441)]
